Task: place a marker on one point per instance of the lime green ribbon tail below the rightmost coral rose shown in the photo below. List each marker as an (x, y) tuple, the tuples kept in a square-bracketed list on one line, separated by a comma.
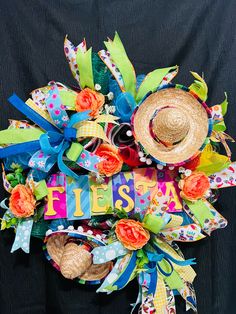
[(200, 210)]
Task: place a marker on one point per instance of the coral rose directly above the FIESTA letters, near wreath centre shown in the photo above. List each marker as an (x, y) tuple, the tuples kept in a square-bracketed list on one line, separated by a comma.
[(111, 163)]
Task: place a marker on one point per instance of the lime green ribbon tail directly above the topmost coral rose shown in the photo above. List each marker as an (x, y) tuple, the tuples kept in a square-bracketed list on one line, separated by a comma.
[(84, 62)]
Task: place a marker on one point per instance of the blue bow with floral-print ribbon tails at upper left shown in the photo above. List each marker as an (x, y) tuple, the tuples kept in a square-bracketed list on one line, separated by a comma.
[(52, 145)]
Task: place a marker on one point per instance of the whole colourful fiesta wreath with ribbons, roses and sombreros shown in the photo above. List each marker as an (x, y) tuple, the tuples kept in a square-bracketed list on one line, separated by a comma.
[(113, 171)]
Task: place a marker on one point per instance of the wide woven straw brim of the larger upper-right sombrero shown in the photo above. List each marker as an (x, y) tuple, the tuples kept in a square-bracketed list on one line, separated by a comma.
[(198, 125)]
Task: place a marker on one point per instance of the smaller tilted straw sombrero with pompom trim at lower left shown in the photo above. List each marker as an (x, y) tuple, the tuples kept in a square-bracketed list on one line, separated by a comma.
[(69, 251)]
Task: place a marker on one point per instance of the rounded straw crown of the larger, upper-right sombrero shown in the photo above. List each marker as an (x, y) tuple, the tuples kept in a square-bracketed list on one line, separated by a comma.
[(170, 125)]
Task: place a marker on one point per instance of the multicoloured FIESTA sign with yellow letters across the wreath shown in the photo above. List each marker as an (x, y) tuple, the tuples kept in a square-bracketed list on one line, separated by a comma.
[(79, 199)]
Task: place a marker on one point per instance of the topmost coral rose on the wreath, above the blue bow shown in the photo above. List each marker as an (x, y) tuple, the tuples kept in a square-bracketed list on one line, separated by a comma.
[(88, 99)]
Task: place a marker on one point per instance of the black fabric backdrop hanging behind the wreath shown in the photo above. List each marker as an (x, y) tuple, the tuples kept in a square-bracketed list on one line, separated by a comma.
[(197, 35)]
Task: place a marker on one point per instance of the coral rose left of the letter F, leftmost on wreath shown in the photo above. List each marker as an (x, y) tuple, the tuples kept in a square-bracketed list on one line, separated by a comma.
[(22, 202)]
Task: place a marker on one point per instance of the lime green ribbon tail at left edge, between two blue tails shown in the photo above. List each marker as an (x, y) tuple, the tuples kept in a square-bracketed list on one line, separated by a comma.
[(16, 136)]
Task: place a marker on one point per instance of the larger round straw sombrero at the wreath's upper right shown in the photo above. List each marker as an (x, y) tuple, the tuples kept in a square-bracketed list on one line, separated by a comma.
[(172, 125)]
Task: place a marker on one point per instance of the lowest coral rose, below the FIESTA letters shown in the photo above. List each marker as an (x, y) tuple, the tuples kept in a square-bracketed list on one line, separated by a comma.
[(131, 234)]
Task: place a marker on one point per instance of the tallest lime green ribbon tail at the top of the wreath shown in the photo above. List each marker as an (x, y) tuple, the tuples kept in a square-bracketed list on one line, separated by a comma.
[(121, 60)]
